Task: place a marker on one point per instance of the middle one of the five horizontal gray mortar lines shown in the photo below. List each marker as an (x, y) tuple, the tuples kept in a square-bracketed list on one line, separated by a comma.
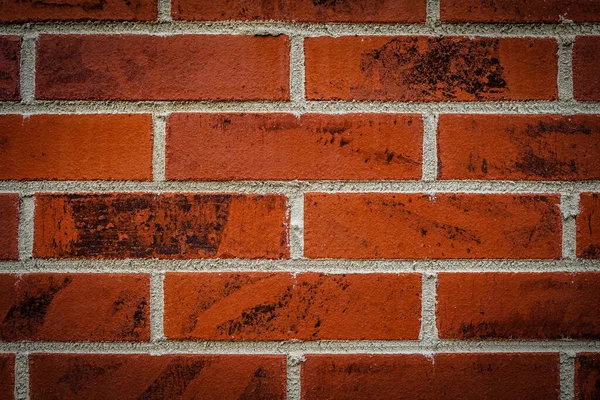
[(292, 187)]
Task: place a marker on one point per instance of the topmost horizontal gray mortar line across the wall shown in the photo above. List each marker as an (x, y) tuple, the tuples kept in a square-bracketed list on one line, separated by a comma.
[(306, 29)]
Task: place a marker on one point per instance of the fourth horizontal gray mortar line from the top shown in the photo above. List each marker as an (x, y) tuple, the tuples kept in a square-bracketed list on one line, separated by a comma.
[(338, 266)]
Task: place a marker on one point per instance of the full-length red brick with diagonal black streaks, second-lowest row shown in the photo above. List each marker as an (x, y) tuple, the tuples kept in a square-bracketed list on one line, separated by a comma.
[(280, 306)]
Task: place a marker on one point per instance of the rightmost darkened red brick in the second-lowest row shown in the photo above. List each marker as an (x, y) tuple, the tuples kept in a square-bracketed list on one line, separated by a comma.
[(518, 305)]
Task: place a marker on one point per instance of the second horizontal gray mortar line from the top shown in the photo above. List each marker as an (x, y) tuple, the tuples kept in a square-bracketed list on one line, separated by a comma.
[(326, 107)]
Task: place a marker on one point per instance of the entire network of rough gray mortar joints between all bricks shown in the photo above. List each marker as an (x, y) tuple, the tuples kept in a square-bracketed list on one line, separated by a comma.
[(428, 343)]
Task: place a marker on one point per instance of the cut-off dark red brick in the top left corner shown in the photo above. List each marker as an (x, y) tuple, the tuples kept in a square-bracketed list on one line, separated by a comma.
[(79, 10)]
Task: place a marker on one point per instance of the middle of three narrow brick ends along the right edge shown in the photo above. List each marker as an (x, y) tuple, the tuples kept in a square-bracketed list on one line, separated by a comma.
[(588, 226)]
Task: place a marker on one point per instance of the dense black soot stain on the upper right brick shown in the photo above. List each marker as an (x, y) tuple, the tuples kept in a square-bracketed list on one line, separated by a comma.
[(441, 68)]
